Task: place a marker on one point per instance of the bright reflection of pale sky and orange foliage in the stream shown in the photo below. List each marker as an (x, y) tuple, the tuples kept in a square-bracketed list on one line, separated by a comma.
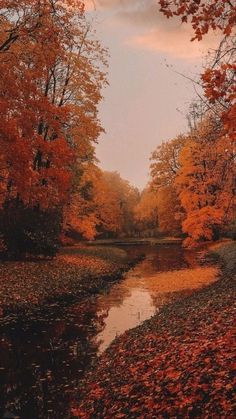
[(163, 275)]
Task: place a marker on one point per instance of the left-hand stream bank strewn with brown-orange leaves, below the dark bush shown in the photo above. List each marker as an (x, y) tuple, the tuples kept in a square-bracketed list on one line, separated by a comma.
[(76, 273)]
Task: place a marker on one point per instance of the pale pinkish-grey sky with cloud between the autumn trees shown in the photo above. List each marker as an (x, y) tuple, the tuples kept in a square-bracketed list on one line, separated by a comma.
[(147, 100)]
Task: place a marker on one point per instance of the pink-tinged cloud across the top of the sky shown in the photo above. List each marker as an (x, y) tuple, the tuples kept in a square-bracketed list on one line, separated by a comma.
[(156, 33)]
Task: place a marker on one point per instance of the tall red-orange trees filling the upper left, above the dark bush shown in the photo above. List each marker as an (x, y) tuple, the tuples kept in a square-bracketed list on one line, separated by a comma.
[(50, 88)]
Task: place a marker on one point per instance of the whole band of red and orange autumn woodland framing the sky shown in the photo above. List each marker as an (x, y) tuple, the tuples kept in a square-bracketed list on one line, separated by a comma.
[(53, 70)]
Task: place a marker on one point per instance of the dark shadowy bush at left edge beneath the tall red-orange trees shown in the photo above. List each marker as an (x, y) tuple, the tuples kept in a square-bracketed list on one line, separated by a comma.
[(30, 230)]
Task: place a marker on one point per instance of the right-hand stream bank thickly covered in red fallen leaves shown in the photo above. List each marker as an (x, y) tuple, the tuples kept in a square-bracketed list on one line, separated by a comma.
[(177, 364)]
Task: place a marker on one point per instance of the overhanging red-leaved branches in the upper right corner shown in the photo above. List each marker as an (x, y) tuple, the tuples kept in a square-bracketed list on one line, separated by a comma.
[(218, 79)]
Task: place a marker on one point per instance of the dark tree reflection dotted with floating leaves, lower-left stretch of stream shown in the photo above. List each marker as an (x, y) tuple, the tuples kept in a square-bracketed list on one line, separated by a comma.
[(42, 363)]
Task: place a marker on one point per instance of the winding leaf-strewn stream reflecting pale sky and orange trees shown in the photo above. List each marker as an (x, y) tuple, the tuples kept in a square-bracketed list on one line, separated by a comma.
[(42, 361)]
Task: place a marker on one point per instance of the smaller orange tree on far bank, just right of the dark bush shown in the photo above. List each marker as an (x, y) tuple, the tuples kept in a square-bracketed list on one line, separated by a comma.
[(94, 208)]
